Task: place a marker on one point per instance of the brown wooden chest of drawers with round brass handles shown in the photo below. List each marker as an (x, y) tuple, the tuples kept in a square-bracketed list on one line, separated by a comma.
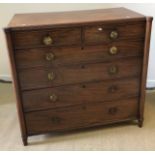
[(78, 69)]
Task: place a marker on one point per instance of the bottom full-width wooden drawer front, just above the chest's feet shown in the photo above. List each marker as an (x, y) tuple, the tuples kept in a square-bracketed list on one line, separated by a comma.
[(81, 116)]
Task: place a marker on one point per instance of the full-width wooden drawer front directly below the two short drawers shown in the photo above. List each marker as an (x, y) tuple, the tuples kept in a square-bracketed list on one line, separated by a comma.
[(74, 55)]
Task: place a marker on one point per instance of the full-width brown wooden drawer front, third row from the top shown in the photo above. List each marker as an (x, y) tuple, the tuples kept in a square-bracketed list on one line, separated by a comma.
[(56, 76)]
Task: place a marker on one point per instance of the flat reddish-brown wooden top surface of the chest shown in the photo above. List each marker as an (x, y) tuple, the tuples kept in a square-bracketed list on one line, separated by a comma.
[(35, 20)]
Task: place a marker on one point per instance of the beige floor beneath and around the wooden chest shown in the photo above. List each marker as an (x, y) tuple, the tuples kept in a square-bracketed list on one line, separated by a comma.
[(126, 136)]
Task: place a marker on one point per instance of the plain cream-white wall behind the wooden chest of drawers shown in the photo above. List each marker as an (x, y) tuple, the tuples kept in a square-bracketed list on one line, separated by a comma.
[(8, 10)]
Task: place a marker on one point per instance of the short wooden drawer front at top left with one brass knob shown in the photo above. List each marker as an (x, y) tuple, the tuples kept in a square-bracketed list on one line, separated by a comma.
[(25, 39)]
